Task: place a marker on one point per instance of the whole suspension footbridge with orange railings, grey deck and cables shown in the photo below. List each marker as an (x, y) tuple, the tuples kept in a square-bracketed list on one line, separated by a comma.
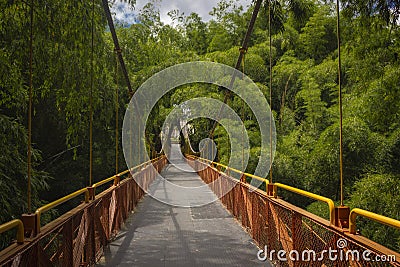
[(118, 224)]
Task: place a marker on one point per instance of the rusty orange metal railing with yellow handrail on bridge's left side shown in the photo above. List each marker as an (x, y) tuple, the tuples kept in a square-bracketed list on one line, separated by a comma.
[(78, 237)]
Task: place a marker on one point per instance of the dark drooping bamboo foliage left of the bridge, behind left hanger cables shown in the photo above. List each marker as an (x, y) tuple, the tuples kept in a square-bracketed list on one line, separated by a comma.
[(61, 84)]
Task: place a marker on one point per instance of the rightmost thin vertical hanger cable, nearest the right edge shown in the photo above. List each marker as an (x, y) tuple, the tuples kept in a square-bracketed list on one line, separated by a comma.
[(340, 102)]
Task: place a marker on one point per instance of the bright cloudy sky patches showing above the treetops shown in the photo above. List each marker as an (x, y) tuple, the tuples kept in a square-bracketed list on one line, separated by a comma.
[(201, 7)]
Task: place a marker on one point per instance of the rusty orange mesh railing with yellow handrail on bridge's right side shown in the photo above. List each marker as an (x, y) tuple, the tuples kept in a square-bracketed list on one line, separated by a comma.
[(279, 225)]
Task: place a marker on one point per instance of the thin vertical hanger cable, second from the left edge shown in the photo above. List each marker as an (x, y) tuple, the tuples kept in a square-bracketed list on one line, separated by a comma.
[(91, 102)]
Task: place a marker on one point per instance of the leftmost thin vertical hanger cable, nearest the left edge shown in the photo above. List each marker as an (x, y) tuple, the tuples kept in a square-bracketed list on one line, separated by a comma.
[(29, 163)]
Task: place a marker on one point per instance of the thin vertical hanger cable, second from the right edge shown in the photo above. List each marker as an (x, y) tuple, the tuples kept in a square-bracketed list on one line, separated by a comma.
[(270, 87)]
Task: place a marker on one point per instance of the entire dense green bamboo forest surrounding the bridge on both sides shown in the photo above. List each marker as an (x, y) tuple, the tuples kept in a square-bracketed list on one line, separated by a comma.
[(304, 94)]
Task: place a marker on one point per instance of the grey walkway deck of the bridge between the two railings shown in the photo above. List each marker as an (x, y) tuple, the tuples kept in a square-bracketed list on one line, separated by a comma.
[(159, 234)]
